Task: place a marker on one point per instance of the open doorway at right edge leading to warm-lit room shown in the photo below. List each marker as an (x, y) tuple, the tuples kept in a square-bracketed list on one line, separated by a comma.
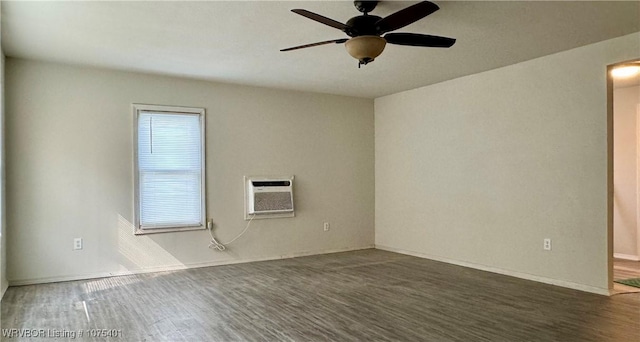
[(624, 184)]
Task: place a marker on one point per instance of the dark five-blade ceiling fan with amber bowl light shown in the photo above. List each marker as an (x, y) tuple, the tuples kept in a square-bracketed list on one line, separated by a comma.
[(366, 42)]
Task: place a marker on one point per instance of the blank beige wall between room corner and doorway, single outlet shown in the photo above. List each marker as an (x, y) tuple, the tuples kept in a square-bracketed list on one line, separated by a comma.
[(479, 170)]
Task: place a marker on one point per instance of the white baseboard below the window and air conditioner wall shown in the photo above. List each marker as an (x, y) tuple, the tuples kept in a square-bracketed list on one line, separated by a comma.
[(167, 268)]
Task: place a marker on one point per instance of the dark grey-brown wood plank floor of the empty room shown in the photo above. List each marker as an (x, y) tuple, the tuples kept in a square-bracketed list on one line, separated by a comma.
[(368, 295)]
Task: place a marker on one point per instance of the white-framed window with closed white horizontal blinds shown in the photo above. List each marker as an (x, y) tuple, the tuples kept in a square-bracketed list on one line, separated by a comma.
[(169, 169)]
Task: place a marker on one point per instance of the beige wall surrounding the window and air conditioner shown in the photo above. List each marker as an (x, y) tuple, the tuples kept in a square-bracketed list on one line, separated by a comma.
[(69, 171)]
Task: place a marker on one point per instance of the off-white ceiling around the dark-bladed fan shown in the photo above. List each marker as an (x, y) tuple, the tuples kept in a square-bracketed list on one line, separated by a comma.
[(239, 41)]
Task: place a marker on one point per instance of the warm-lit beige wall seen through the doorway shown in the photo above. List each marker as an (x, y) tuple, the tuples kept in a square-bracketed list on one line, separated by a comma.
[(625, 102)]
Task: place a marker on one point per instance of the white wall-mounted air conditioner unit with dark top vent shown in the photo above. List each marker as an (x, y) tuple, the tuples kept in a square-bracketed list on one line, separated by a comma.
[(268, 197)]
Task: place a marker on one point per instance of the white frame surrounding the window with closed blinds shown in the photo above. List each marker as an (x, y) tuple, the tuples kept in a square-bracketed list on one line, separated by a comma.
[(138, 109)]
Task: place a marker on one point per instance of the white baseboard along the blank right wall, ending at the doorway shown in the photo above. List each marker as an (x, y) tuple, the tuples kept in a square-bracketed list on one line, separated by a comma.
[(562, 283)]
